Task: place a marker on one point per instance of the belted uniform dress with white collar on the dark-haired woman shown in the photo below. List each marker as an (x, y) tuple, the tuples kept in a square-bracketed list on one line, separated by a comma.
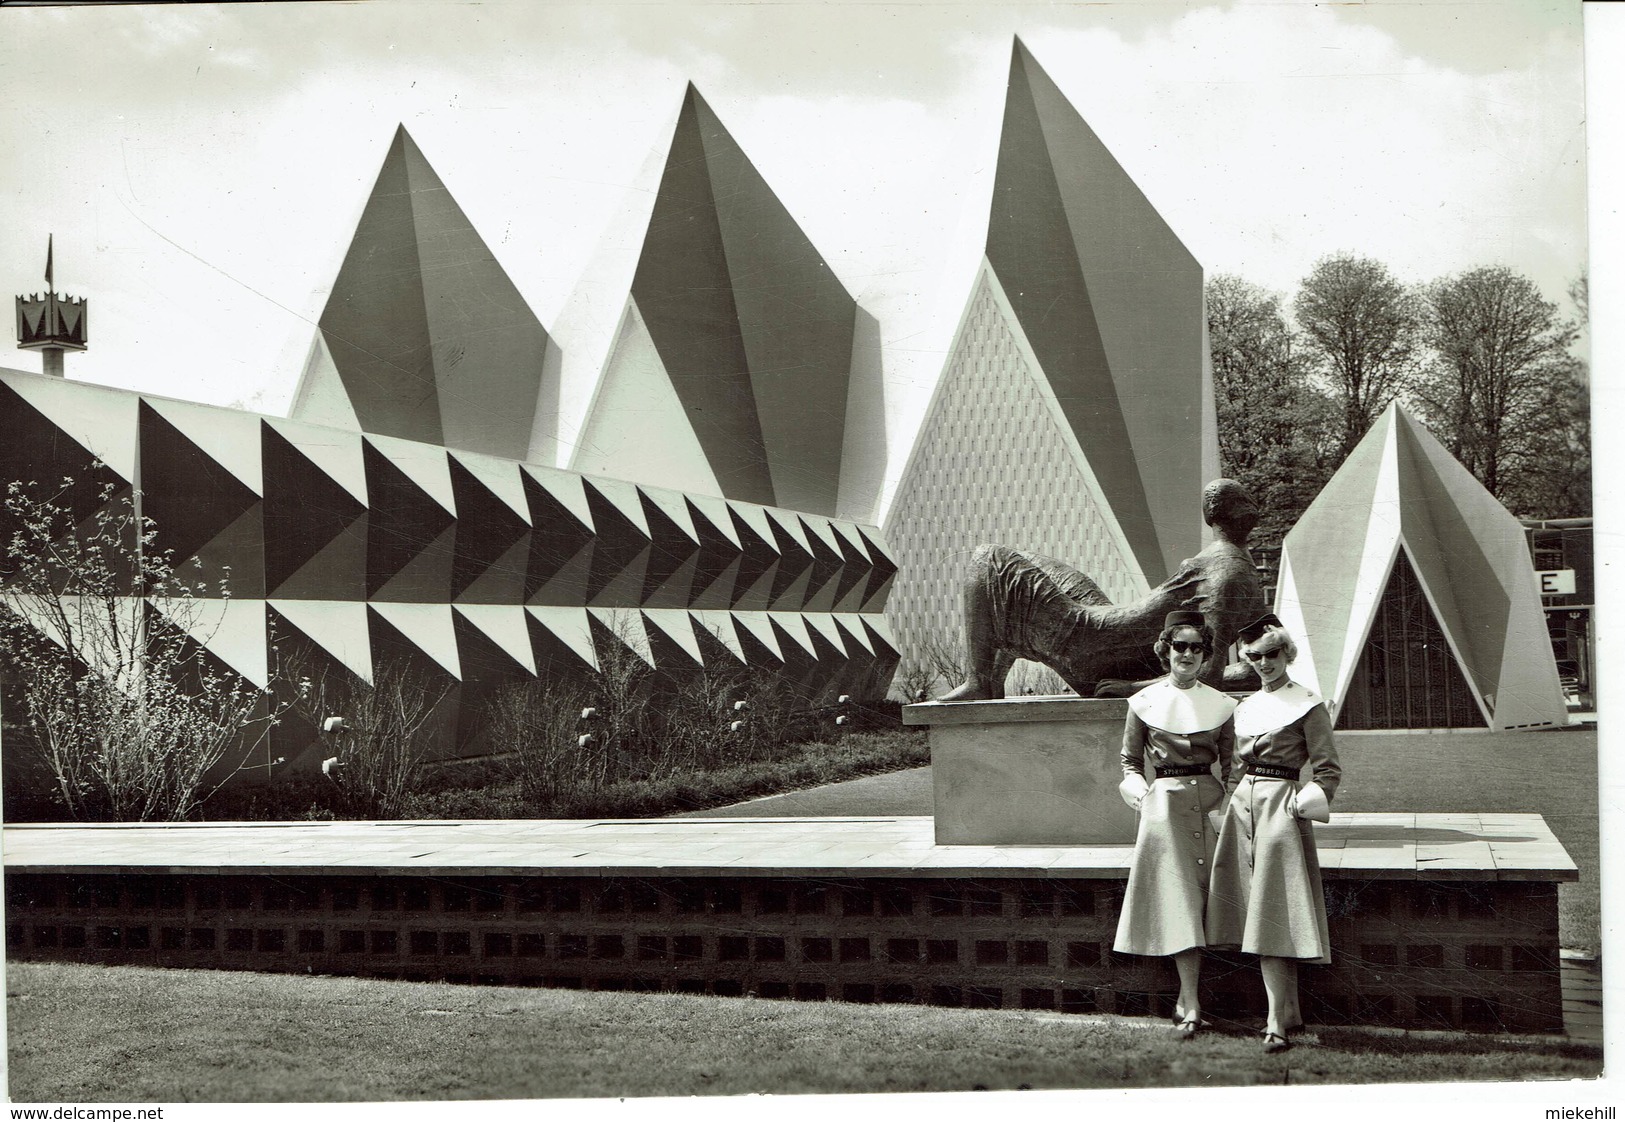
[(1184, 733)]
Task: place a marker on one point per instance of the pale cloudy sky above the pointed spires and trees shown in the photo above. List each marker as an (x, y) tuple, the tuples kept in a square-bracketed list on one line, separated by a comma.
[(202, 168)]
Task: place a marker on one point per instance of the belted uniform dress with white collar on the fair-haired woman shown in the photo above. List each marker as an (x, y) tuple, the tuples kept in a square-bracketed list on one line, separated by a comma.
[(1267, 885)]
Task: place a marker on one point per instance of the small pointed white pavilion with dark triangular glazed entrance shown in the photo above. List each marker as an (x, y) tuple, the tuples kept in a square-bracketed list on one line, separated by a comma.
[(1411, 594)]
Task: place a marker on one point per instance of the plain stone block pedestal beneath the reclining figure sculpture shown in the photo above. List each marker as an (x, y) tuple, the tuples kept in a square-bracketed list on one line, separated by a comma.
[(1028, 772)]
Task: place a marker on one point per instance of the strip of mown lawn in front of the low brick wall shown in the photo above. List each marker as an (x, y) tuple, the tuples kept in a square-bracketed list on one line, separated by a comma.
[(136, 1035)]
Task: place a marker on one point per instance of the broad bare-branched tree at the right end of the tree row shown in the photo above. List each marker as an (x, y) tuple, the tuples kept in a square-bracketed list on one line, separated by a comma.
[(1506, 394)]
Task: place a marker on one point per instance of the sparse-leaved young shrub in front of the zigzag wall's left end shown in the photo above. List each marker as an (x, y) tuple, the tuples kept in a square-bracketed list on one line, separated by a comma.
[(131, 716)]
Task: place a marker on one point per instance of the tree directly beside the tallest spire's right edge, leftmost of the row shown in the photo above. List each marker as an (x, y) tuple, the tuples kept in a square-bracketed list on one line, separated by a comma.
[(1276, 432)]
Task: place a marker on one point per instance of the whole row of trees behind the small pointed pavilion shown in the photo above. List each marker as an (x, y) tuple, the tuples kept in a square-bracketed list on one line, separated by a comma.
[(1483, 359)]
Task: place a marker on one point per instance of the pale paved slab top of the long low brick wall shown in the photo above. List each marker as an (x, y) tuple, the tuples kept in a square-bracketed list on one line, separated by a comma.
[(1379, 846)]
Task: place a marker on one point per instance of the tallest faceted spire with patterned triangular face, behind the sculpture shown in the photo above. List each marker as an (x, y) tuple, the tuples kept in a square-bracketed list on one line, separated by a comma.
[(1075, 415)]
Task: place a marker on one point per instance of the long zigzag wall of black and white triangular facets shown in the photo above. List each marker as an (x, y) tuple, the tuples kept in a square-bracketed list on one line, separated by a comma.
[(470, 567)]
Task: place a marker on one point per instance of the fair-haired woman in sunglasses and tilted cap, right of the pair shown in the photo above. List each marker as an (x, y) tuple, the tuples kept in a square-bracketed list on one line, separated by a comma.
[(1267, 885)]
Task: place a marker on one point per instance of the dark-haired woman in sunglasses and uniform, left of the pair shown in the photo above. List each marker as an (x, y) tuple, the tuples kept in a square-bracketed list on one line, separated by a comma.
[(1177, 731)]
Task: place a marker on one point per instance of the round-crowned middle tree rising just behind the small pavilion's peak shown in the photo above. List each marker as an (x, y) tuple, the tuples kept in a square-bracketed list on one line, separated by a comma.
[(1363, 328)]
